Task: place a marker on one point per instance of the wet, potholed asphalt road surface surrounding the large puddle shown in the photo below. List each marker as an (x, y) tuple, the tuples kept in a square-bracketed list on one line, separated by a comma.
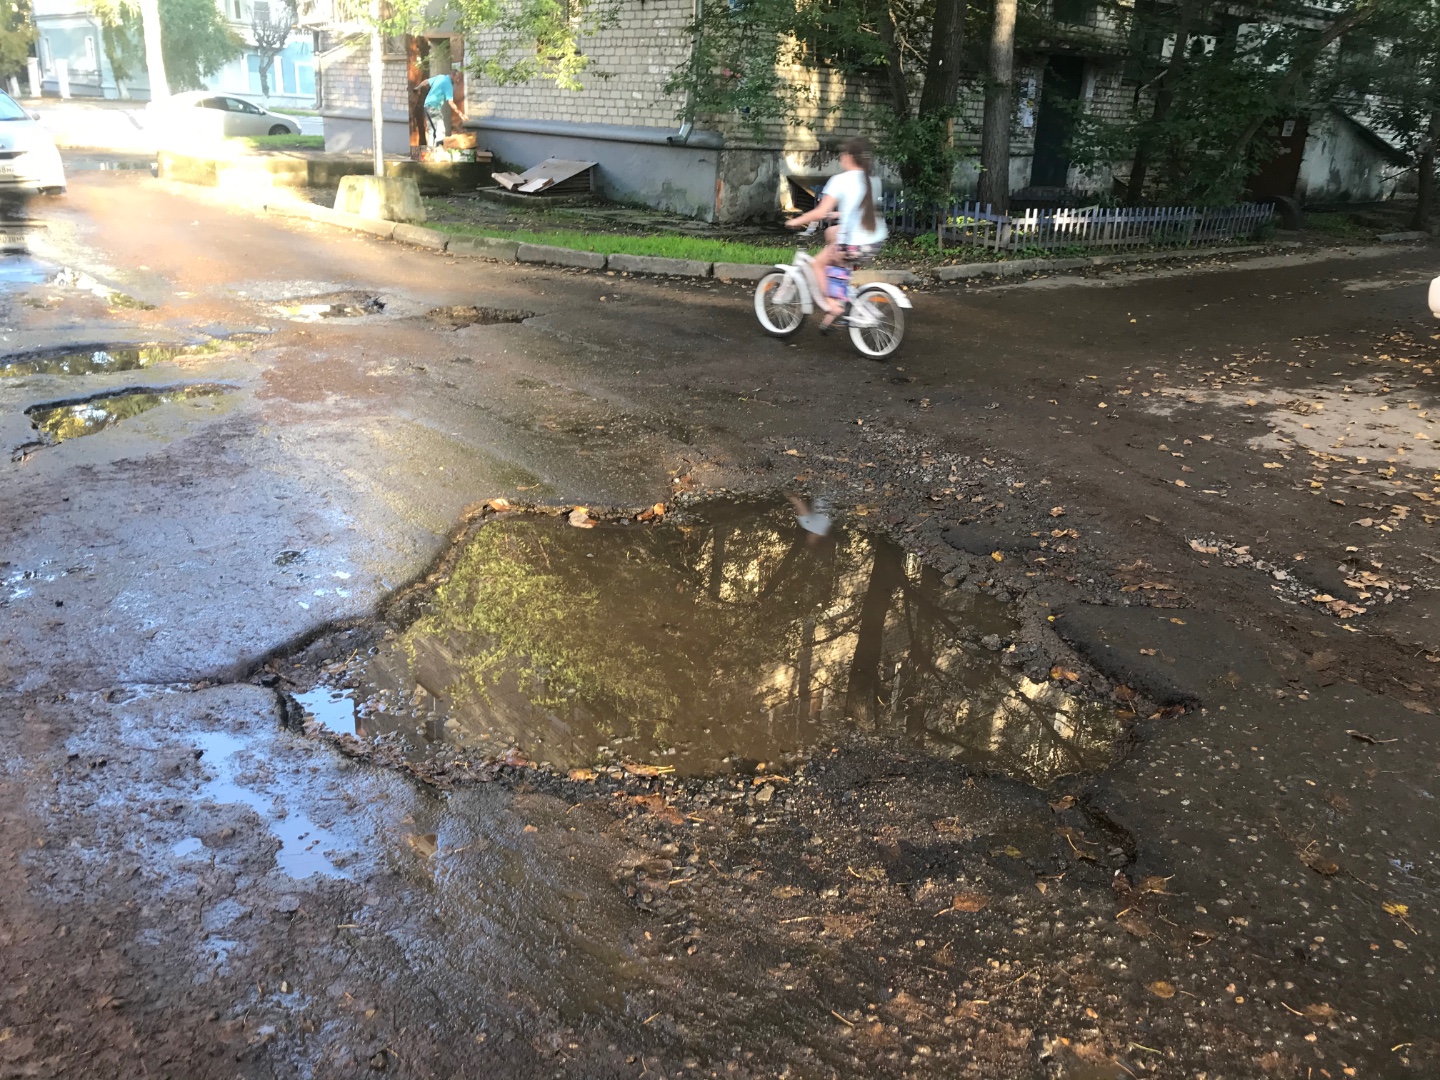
[(1288, 924)]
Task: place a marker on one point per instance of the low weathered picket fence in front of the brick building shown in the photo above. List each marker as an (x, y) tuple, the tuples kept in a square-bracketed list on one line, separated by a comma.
[(971, 225)]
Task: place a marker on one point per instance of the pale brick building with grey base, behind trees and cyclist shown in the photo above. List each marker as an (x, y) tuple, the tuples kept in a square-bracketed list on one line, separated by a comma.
[(719, 169)]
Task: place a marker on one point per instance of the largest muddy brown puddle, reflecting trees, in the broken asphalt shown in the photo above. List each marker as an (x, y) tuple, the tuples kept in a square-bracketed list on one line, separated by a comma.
[(728, 640)]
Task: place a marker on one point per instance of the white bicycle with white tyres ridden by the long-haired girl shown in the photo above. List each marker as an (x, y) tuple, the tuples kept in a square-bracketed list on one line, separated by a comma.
[(875, 312)]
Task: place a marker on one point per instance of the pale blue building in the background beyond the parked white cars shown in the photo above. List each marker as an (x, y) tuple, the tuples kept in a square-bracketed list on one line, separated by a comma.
[(67, 31)]
